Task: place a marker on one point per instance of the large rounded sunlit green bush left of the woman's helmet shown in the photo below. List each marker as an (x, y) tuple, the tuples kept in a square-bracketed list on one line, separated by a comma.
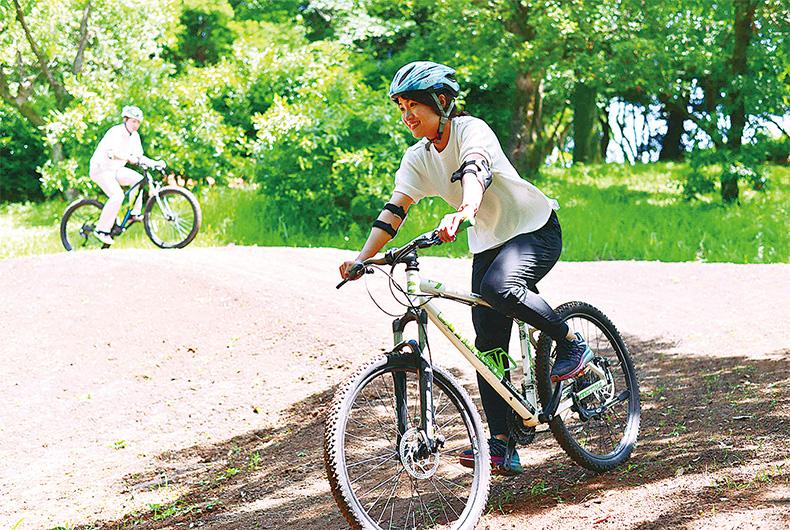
[(327, 152)]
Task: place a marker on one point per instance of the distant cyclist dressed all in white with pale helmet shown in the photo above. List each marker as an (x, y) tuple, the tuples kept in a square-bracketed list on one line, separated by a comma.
[(119, 146)]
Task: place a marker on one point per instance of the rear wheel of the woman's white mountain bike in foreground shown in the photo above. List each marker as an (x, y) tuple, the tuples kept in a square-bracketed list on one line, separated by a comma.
[(604, 440)]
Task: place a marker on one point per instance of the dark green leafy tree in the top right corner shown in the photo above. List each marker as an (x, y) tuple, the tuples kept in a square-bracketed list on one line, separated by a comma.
[(718, 65)]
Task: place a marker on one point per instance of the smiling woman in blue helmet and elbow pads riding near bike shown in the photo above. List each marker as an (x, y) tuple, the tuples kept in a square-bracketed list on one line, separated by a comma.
[(516, 238)]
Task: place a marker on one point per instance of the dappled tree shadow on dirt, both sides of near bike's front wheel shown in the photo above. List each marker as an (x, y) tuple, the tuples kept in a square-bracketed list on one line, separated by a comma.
[(700, 415)]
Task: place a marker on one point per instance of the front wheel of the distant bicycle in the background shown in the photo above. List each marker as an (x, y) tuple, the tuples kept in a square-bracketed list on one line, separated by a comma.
[(172, 218)]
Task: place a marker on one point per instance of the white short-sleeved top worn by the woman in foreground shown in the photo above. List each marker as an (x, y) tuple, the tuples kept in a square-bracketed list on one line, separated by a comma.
[(511, 205)]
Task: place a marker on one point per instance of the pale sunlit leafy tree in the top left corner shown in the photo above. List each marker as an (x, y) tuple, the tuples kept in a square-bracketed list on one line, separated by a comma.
[(68, 64)]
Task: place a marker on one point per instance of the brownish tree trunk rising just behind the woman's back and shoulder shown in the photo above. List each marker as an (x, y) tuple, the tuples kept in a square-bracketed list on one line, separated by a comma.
[(526, 149)]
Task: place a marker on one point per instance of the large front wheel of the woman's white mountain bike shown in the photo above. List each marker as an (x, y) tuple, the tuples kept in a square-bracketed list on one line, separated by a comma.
[(377, 478)]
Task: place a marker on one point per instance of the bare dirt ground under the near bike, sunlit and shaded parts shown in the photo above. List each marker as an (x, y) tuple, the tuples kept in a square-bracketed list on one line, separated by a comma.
[(155, 389)]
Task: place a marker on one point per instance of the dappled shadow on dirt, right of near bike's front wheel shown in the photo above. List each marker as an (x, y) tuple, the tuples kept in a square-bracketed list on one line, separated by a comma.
[(721, 418)]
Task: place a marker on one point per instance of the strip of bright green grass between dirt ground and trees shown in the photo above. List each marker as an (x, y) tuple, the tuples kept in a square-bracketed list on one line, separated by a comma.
[(607, 212)]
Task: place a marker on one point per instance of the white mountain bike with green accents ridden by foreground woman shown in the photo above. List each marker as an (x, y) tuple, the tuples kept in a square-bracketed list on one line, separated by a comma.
[(397, 426)]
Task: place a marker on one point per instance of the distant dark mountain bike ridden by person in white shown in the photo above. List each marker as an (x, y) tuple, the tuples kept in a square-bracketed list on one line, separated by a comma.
[(171, 216)]
